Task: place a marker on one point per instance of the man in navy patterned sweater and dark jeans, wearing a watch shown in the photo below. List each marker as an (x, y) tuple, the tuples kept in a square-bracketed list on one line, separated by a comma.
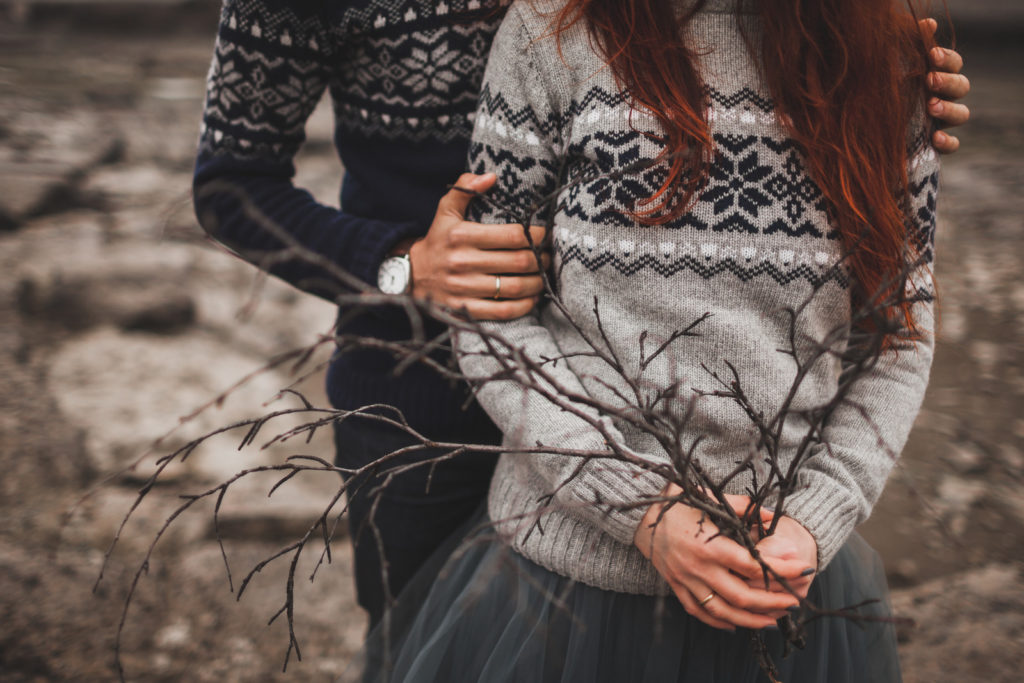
[(404, 77)]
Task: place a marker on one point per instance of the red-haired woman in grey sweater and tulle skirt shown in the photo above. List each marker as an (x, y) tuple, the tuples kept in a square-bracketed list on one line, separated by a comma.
[(777, 181)]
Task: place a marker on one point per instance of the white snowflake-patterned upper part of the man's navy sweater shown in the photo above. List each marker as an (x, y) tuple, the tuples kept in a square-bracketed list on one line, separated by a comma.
[(406, 69)]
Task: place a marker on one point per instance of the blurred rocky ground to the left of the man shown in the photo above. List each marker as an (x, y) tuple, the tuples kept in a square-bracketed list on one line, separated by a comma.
[(118, 318)]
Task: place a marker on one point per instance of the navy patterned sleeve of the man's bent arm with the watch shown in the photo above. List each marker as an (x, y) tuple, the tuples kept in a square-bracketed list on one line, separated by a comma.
[(271, 67)]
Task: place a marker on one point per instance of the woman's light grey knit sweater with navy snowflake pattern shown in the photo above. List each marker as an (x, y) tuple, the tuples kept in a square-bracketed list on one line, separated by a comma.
[(756, 242)]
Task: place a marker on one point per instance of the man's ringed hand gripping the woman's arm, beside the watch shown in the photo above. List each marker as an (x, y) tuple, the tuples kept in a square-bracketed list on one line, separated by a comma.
[(458, 264)]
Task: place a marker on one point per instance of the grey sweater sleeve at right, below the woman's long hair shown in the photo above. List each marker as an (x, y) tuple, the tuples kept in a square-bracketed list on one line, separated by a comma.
[(840, 484)]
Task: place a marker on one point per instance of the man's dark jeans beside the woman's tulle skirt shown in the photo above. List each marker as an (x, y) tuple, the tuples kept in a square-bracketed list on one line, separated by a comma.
[(412, 519)]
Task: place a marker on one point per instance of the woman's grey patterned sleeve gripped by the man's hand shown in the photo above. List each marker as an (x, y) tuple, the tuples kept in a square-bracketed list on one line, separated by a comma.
[(519, 137)]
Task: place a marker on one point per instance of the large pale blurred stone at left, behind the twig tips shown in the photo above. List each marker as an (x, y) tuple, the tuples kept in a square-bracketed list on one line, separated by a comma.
[(129, 391)]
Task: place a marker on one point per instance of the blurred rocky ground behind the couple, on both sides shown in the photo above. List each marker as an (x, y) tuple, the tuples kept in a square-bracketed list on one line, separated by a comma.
[(118, 318)]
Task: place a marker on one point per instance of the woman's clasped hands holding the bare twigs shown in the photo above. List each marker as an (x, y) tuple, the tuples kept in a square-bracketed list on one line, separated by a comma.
[(715, 579)]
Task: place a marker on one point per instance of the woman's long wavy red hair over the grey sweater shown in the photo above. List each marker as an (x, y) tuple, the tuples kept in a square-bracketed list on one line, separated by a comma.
[(848, 76)]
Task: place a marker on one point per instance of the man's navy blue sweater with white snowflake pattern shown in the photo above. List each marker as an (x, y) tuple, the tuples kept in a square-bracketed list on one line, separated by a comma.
[(404, 78)]
